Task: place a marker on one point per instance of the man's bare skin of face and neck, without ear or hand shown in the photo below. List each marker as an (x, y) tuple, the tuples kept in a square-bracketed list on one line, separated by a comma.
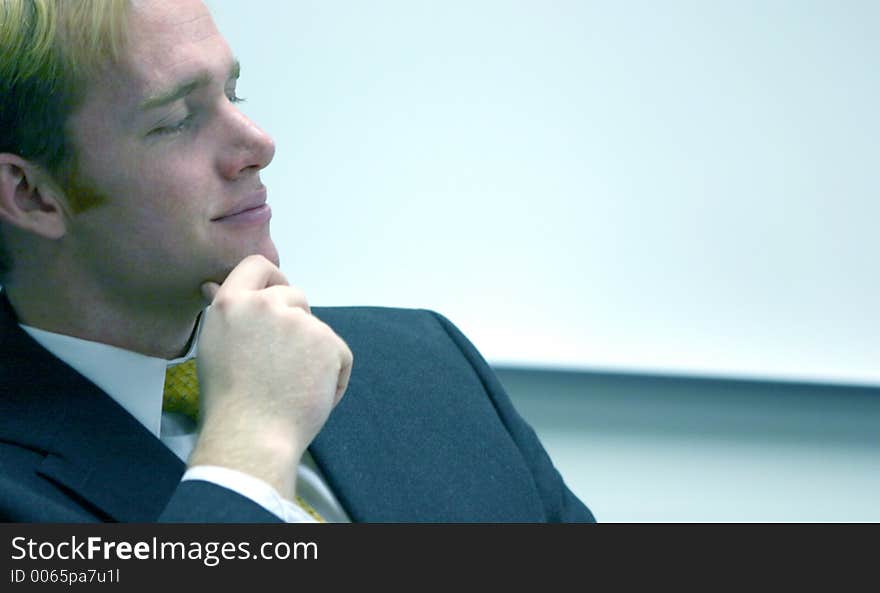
[(162, 186)]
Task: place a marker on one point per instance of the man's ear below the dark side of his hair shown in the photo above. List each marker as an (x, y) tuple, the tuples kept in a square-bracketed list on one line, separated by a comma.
[(28, 198)]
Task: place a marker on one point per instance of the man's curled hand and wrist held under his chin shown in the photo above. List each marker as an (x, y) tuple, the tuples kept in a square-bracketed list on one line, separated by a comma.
[(269, 373)]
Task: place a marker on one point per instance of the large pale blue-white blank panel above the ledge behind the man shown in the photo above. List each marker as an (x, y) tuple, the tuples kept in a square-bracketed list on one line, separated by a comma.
[(680, 185)]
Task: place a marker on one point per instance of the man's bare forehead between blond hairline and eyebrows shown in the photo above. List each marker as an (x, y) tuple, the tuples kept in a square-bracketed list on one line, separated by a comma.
[(171, 40)]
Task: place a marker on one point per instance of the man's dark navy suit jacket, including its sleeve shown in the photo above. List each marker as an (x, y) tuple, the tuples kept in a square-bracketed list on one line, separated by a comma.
[(425, 432)]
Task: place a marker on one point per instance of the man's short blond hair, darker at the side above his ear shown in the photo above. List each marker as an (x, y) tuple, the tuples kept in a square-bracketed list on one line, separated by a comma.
[(50, 50)]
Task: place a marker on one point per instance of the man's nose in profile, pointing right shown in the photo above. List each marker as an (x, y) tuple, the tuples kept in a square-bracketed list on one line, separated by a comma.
[(247, 147)]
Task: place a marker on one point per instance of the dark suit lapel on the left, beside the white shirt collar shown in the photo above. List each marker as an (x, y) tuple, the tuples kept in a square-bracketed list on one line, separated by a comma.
[(92, 446)]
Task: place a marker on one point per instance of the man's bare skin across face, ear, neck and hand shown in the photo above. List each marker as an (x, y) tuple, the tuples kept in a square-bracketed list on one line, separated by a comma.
[(136, 271)]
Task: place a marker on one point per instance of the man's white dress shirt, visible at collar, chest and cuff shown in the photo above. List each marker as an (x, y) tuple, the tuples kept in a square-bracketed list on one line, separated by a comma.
[(137, 382)]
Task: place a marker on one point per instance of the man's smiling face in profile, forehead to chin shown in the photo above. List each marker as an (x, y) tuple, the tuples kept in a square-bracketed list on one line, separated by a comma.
[(161, 143)]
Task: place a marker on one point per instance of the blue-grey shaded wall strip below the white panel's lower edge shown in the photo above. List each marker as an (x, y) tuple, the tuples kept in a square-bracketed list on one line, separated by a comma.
[(650, 448)]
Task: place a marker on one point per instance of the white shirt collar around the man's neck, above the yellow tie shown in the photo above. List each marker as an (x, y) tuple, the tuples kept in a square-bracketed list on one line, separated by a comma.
[(135, 381)]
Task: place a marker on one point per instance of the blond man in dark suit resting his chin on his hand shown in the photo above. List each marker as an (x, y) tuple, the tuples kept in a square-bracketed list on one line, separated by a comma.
[(130, 199)]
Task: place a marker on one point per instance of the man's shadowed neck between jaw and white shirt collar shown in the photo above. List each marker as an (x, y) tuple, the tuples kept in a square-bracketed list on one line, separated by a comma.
[(146, 328)]
